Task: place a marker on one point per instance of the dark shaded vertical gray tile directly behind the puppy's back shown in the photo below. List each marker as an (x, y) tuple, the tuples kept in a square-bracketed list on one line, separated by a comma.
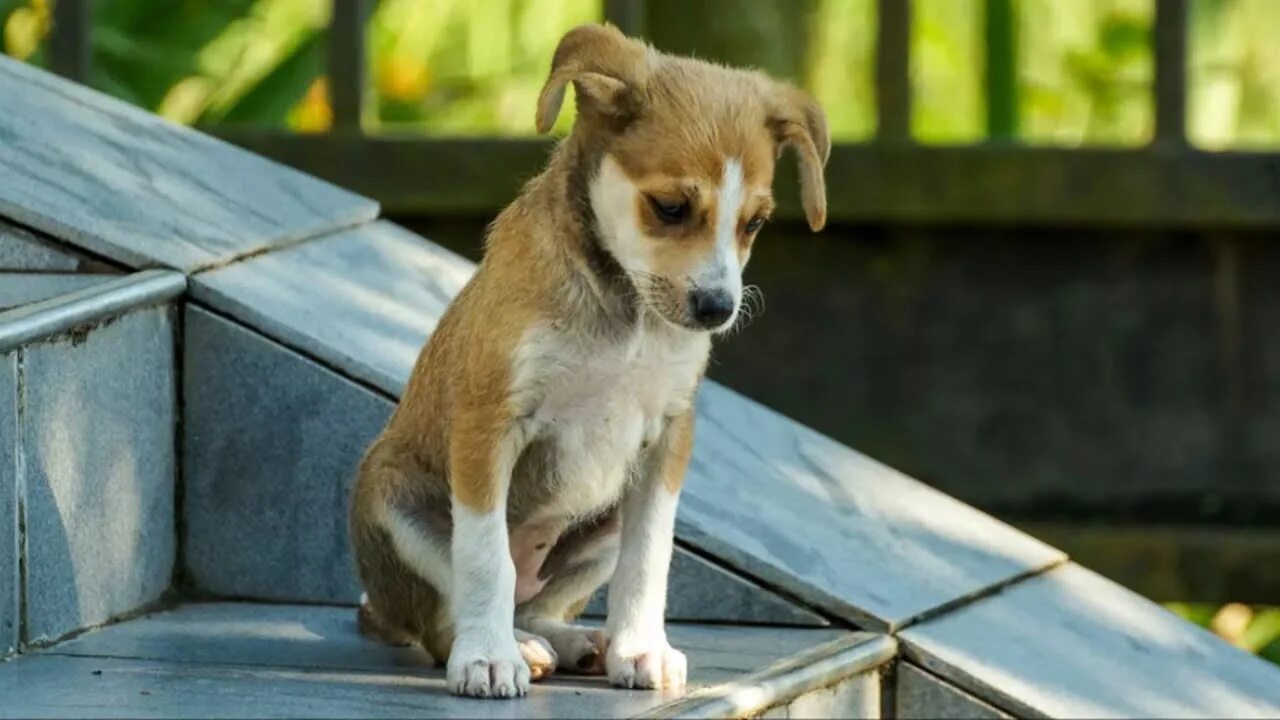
[(272, 443)]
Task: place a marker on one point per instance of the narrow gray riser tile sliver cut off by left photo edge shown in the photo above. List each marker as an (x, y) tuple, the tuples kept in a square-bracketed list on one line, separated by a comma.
[(10, 581)]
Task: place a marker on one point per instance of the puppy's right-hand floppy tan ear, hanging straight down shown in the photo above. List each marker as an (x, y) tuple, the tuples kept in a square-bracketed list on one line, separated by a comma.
[(797, 121)]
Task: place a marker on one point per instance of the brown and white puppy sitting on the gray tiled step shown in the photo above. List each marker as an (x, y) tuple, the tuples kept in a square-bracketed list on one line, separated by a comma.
[(542, 441)]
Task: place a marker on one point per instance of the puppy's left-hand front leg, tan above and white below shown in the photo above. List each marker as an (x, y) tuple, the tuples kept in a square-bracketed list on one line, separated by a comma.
[(486, 660)]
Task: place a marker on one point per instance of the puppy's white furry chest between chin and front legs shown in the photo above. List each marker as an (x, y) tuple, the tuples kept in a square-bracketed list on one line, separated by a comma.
[(598, 405)]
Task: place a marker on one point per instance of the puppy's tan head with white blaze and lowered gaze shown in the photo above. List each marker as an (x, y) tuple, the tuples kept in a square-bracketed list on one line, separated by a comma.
[(684, 154)]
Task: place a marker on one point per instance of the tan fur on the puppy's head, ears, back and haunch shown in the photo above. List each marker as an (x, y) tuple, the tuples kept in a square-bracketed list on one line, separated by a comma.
[(670, 124)]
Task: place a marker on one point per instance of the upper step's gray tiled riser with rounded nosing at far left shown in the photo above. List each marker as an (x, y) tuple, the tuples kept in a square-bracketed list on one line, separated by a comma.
[(88, 452)]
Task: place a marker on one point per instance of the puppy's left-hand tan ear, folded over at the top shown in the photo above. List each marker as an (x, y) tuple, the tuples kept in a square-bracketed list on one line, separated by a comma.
[(607, 70)]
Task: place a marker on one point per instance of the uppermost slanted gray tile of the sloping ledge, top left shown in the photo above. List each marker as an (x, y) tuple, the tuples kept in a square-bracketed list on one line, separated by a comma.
[(124, 184)]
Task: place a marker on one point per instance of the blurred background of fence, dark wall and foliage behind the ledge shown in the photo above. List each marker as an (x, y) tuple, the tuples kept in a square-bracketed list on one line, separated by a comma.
[(1049, 282)]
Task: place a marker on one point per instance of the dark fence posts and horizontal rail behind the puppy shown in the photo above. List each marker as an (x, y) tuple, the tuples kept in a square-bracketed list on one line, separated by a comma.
[(893, 180)]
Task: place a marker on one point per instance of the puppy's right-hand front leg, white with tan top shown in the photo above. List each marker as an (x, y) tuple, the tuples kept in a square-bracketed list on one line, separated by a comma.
[(639, 655)]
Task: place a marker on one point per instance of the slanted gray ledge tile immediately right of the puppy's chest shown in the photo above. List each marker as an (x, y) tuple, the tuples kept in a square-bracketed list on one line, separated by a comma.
[(834, 527)]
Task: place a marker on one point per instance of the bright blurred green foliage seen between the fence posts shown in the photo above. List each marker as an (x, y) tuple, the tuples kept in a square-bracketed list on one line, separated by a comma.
[(1082, 71)]
